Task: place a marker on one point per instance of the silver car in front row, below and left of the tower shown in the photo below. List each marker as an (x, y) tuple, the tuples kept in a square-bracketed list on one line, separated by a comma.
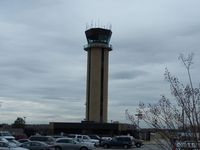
[(69, 143)]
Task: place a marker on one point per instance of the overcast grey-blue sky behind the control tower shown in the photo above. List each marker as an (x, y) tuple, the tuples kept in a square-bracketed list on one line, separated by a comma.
[(43, 64)]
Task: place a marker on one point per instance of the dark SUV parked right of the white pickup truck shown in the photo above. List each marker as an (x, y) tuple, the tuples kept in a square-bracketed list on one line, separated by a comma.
[(118, 141)]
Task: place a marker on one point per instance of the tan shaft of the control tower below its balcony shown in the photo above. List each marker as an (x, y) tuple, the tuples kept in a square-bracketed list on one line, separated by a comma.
[(97, 85)]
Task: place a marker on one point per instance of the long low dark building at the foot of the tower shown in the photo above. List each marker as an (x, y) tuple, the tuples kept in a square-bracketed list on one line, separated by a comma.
[(90, 128)]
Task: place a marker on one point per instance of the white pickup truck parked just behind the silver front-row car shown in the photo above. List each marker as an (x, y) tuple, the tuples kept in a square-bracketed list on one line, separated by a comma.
[(84, 138)]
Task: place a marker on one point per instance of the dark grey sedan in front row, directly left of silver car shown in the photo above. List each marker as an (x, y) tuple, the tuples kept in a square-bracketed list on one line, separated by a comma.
[(37, 145)]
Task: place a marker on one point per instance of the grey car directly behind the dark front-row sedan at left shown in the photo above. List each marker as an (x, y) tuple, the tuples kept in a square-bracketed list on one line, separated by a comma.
[(47, 139)]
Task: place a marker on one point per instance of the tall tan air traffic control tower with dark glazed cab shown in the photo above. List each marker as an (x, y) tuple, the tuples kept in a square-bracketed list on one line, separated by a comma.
[(98, 48)]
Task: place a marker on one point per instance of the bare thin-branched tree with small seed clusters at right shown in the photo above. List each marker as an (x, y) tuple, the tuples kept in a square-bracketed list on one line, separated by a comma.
[(174, 120)]
